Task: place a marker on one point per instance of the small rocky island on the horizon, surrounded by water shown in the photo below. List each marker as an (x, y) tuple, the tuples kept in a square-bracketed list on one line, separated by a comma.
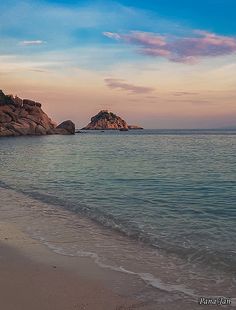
[(105, 120)]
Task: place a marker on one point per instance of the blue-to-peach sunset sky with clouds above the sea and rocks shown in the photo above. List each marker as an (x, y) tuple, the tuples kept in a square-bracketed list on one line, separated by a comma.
[(158, 64)]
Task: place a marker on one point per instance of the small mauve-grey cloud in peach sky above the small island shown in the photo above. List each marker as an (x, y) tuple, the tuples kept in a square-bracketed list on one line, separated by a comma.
[(122, 85)]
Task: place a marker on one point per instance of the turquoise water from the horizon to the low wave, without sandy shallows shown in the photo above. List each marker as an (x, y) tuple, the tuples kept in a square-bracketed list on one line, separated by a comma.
[(174, 191)]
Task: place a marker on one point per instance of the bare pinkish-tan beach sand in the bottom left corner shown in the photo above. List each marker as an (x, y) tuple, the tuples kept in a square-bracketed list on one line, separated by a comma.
[(34, 278)]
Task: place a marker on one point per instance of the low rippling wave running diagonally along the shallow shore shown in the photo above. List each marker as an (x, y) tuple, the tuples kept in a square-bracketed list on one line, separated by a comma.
[(216, 260)]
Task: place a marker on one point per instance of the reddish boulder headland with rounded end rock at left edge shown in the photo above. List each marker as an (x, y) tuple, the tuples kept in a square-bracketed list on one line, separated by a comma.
[(20, 117)]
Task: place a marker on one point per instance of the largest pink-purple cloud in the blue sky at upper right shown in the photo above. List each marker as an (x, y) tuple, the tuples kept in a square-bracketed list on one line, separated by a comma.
[(179, 49)]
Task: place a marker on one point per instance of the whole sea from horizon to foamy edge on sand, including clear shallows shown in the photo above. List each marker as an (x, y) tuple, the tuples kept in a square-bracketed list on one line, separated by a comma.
[(158, 206)]
